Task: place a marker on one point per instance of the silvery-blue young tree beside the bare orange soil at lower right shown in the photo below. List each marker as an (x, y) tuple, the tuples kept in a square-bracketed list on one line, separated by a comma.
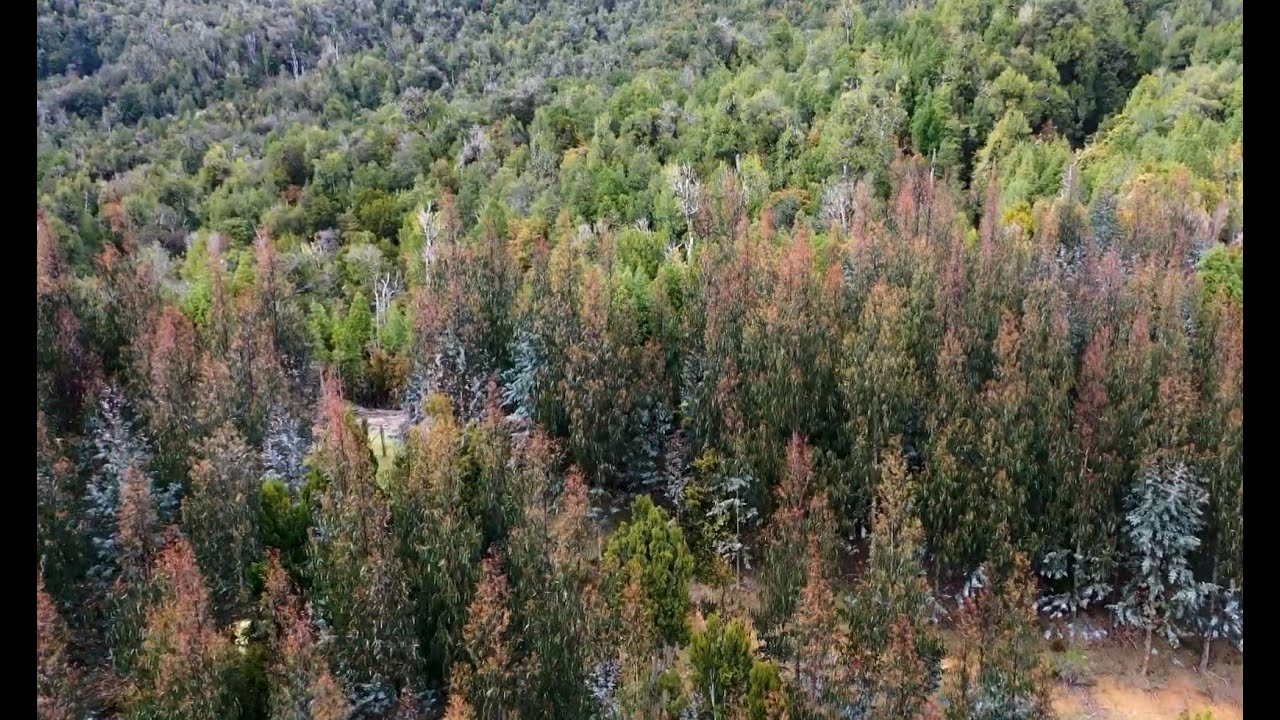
[(1163, 528)]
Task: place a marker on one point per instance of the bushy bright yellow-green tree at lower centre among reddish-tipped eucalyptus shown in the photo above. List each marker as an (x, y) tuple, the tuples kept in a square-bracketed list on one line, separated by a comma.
[(656, 545)]
